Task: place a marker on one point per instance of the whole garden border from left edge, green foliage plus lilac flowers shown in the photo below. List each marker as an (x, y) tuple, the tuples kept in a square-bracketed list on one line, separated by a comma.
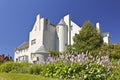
[(68, 66)]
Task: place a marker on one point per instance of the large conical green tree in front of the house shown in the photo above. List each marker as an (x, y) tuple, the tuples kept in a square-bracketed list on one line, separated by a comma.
[(88, 38)]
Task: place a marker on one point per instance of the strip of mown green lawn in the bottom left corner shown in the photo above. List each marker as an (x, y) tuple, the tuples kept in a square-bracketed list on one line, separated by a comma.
[(16, 76)]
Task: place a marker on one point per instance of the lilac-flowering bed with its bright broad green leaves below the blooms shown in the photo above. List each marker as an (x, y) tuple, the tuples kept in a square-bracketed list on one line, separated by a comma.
[(80, 66)]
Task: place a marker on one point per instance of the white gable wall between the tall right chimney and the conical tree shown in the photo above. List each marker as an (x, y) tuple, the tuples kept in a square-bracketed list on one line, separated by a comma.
[(74, 30)]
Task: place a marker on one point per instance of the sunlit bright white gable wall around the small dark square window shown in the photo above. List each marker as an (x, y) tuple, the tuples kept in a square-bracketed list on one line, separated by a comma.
[(37, 34)]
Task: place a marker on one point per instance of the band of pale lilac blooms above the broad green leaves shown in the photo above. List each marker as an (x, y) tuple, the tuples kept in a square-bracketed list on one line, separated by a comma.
[(80, 58)]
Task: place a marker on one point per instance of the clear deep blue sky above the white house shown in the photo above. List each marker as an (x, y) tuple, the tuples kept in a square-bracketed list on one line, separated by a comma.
[(17, 17)]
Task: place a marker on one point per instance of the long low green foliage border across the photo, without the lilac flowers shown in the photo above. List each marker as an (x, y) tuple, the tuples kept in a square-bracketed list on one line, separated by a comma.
[(64, 70)]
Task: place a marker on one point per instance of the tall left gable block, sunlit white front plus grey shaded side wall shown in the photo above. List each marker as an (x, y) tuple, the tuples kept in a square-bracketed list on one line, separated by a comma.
[(44, 33)]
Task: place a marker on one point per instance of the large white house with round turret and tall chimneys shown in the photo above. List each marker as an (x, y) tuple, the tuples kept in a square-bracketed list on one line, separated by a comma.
[(46, 36)]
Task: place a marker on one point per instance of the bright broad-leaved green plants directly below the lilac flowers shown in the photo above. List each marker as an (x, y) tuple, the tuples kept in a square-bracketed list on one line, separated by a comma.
[(91, 71)]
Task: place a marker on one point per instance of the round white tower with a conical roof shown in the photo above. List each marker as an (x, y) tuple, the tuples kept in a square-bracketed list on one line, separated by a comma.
[(62, 35)]
